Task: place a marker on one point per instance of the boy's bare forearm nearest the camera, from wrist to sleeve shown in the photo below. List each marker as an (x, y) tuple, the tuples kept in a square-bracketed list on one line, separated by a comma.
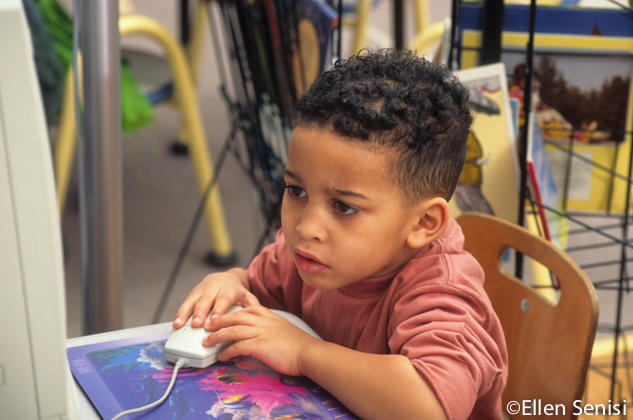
[(373, 386)]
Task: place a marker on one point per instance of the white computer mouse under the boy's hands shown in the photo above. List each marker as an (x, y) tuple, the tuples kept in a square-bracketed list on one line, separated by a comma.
[(186, 343)]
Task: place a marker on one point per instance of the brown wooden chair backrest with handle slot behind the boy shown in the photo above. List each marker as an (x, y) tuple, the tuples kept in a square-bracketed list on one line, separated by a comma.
[(549, 345)]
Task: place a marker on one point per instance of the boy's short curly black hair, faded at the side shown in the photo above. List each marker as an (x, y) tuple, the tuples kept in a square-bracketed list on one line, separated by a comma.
[(396, 99)]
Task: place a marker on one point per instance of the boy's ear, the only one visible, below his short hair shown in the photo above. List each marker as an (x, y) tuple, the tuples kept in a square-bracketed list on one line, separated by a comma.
[(431, 215)]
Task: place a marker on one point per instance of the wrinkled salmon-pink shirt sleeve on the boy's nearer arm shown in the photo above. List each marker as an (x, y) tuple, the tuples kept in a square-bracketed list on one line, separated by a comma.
[(452, 339)]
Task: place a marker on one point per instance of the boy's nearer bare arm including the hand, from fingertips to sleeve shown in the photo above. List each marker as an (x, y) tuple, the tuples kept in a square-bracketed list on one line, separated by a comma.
[(371, 385)]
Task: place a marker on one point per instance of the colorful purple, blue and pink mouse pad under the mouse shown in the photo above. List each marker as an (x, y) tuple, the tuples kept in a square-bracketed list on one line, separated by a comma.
[(124, 374)]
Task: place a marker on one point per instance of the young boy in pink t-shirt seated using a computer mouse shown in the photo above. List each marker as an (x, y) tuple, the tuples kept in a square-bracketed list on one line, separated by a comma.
[(367, 254)]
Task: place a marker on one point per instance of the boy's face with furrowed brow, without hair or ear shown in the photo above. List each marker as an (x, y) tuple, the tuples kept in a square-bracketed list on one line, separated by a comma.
[(342, 215)]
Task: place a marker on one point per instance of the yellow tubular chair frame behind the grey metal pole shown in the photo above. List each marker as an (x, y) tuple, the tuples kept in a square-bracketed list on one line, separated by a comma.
[(222, 249)]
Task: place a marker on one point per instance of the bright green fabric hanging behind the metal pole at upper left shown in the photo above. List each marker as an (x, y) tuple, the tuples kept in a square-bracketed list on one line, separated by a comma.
[(136, 110)]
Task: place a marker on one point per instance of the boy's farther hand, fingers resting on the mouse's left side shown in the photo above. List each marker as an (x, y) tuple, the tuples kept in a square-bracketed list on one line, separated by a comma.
[(218, 291)]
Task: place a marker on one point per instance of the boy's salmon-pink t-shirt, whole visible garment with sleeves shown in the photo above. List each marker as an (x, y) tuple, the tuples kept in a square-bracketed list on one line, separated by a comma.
[(434, 311)]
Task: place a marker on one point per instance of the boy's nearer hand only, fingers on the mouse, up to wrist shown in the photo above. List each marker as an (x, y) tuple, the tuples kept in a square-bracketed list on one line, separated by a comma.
[(260, 333)]
